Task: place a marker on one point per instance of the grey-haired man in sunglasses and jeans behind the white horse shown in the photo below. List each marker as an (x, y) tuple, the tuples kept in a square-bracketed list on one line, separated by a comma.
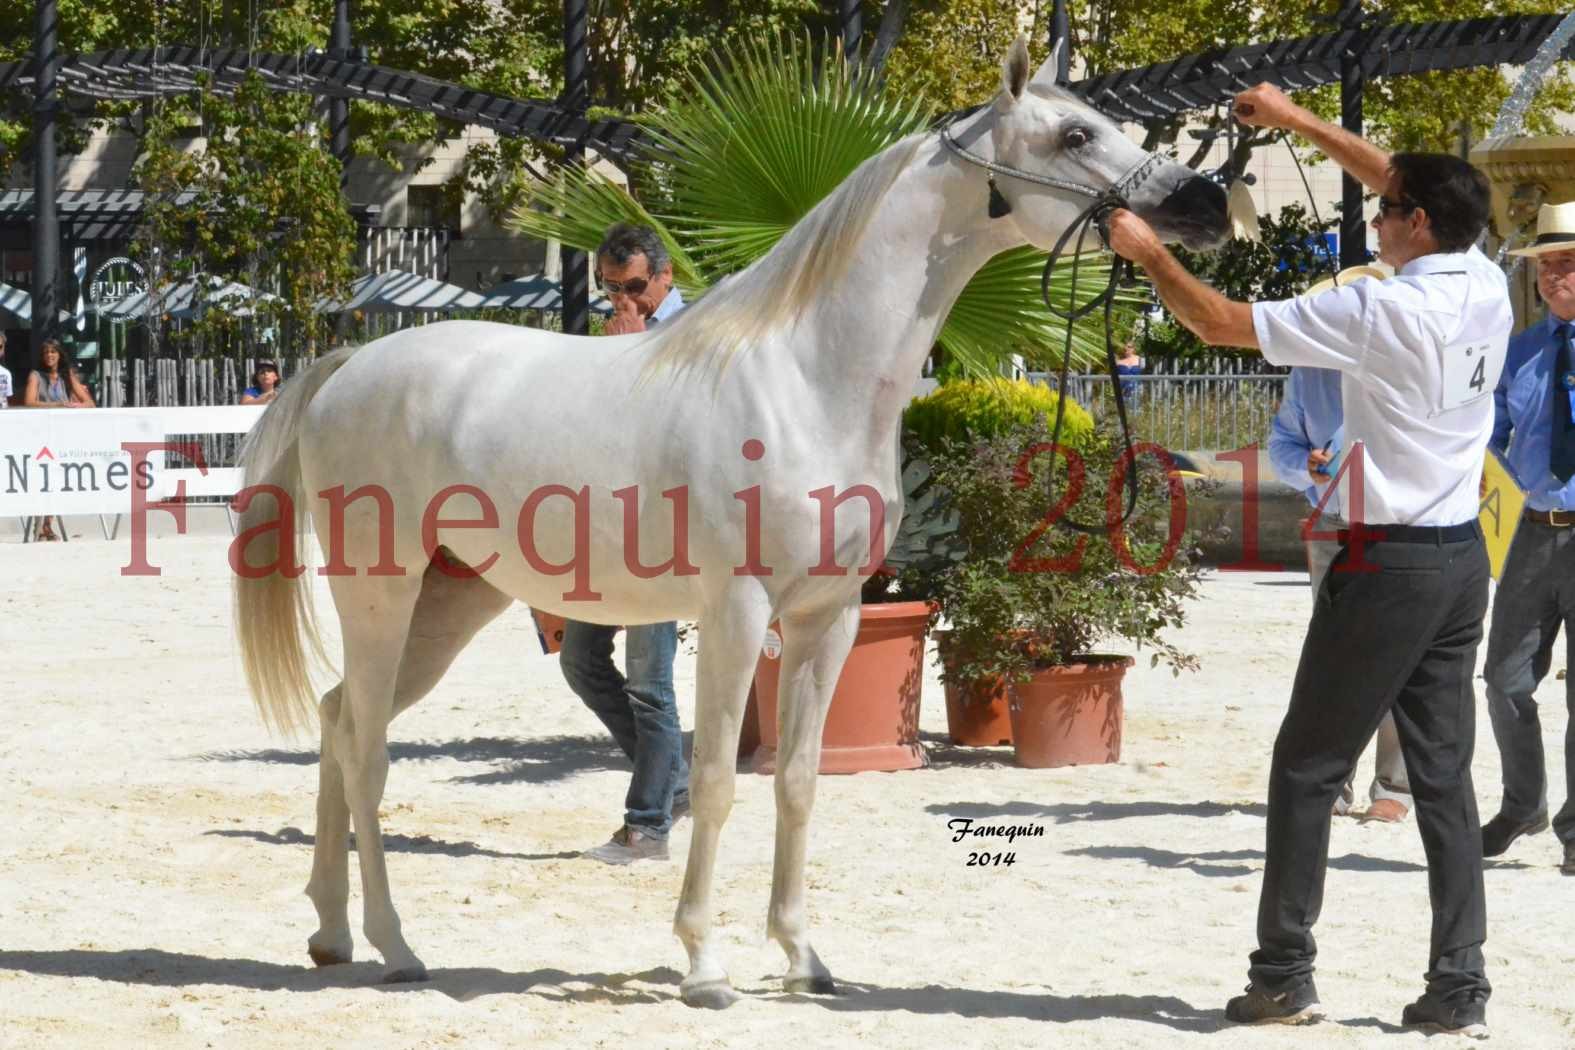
[(639, 704)]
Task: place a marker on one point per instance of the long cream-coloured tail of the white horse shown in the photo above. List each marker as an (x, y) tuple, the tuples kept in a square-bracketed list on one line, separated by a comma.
[(273, 604)]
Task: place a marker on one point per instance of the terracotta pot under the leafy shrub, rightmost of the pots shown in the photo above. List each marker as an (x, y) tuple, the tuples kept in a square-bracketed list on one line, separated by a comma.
[(1070, 715)]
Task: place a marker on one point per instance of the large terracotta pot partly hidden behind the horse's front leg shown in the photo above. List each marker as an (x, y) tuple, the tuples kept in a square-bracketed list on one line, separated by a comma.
[(873, 723)]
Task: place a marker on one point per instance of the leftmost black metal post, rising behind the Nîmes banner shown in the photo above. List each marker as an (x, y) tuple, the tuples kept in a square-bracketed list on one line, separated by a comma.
[(46, 221)]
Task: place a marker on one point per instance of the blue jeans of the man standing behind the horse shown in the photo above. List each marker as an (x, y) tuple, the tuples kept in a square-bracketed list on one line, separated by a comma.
[(640, 711)]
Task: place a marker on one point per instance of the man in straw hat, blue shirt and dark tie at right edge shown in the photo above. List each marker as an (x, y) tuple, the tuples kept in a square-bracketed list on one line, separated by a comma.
[(1535, 426)]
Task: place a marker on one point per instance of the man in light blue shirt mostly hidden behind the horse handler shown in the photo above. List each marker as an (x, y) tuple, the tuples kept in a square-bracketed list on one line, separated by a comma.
[(1306, 442)]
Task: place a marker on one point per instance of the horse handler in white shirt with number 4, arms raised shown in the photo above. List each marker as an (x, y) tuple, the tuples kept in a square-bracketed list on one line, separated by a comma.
[(1399, 615)]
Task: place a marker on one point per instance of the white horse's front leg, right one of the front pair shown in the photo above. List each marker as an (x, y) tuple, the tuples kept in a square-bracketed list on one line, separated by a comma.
[(813, 654)]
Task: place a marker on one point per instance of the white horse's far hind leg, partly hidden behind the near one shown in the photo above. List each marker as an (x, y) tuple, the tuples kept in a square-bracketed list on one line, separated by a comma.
[(448, 615)]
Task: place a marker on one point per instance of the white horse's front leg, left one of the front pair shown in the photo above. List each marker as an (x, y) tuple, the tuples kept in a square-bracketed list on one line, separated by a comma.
[(730, 643)]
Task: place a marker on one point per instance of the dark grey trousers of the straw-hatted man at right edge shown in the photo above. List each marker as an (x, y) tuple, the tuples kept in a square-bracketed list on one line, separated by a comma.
[(1536, 597)]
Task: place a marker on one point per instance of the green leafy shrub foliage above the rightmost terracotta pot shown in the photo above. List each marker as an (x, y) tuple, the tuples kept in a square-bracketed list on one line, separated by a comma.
[(1028, 597)]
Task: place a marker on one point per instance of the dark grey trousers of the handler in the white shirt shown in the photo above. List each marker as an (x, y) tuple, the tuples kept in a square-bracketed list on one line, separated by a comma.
[(1403, 638)]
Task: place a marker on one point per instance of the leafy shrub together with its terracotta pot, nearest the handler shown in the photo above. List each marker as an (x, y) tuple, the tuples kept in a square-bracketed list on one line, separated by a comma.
[(1031, 601)]
